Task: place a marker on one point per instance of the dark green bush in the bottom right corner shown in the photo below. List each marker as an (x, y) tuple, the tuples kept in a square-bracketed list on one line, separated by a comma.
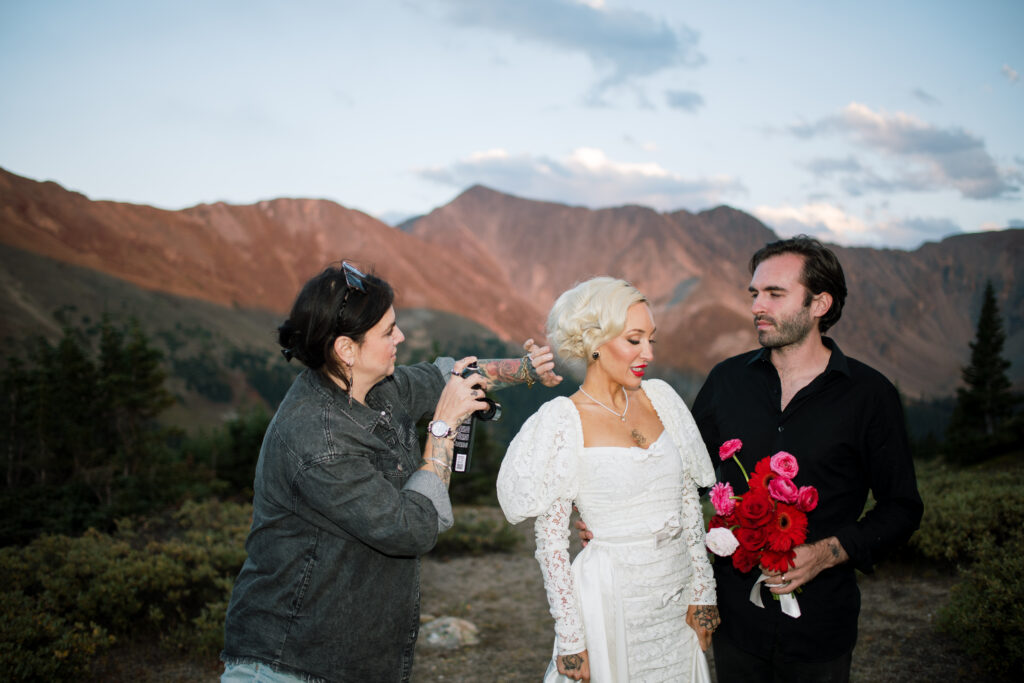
[(985, 611)]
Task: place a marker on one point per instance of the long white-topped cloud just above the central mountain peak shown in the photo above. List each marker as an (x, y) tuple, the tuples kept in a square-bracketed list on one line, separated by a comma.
[(587, 178)]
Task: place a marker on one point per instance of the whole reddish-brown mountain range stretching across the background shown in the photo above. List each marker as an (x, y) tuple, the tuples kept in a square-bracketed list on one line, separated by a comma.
[(490, 264)]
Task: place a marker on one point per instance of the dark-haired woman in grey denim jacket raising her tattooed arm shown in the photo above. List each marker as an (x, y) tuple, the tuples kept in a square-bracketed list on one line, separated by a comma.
[(346, 501)]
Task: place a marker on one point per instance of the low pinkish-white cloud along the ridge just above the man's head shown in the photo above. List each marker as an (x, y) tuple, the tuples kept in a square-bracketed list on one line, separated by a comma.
[(831, 224)]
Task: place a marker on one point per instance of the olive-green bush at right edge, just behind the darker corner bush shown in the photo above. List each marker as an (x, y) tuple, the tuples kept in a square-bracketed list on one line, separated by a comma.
[(964, 508)]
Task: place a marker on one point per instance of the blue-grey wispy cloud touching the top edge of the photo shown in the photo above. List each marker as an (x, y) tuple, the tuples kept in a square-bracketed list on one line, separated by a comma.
[(623, 45)]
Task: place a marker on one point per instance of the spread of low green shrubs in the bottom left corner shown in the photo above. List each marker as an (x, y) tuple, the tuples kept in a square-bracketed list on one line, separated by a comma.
[(66, 601)]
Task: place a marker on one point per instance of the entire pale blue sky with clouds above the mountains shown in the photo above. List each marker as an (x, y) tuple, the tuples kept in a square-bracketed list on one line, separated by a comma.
[(869, 123)]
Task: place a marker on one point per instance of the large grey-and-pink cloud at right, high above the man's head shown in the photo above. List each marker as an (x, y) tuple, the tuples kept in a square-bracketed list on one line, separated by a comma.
[(934, 157)]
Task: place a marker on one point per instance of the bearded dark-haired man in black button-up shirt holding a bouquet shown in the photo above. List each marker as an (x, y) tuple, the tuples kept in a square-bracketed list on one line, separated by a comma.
[(844, 423)]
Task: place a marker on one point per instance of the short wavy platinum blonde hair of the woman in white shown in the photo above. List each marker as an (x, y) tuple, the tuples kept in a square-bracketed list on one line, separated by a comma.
[(588, 316)]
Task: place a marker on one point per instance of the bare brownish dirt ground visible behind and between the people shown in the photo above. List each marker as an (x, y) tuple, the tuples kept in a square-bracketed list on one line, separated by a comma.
[(504, 596)]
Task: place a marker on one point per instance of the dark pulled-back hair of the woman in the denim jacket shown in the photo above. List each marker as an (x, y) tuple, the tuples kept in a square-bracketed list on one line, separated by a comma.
[(327, 309)]
